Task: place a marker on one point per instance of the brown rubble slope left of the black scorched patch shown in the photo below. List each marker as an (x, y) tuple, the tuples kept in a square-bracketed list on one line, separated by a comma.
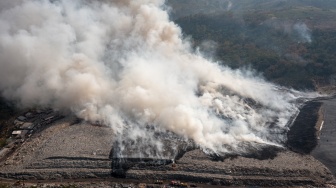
[(62, 151)]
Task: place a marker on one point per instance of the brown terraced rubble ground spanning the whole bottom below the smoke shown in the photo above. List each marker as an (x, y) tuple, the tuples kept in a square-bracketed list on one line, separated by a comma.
[(65, 149)]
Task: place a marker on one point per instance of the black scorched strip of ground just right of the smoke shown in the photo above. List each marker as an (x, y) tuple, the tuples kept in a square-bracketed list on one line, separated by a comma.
[(301, 137)]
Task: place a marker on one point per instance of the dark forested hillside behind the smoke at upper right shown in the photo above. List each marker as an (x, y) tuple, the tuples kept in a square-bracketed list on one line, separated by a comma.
[(291, 43)]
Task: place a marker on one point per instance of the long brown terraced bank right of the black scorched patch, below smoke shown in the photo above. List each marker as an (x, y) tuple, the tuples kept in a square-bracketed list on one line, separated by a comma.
[(287, 169)]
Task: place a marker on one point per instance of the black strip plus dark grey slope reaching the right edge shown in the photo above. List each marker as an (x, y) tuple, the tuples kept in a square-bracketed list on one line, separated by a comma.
[(302, 137)]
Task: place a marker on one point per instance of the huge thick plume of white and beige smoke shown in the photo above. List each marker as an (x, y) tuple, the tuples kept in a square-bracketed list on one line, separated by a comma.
[(123, 63)]
